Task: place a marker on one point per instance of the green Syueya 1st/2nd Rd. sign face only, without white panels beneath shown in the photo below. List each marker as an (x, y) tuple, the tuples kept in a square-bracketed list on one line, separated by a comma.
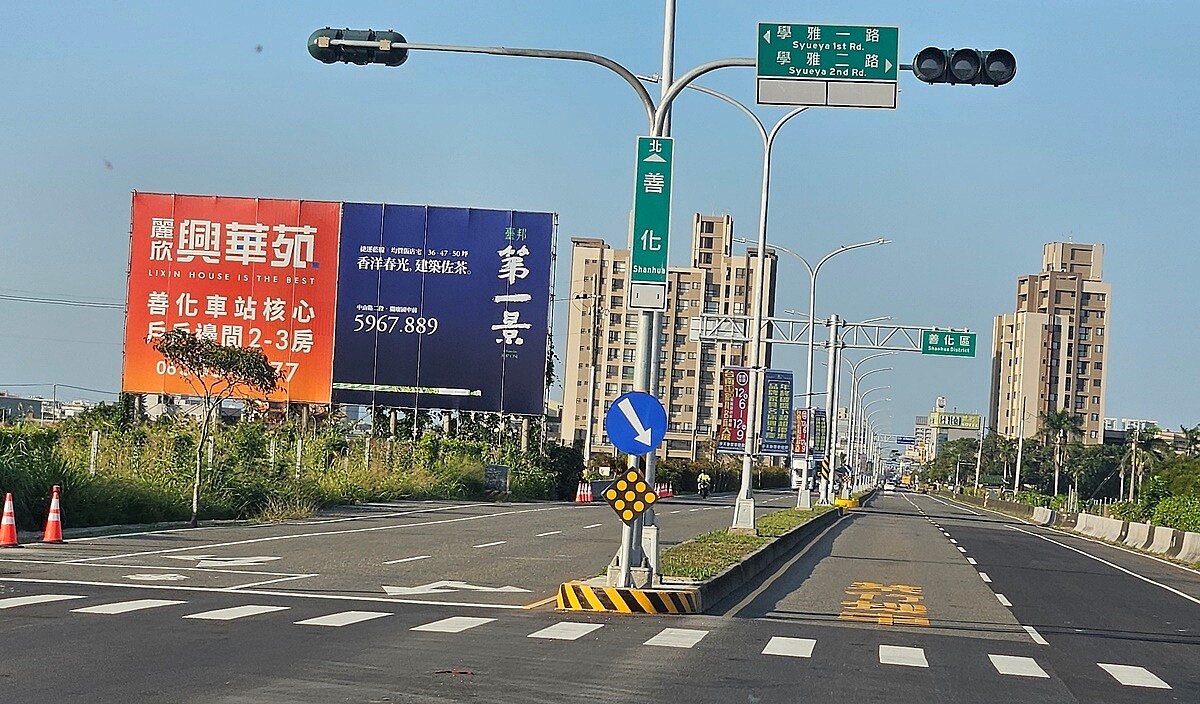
[(829, 51)]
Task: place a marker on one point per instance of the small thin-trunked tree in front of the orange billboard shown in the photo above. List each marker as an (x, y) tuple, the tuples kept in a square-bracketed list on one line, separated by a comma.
[(215, 372)]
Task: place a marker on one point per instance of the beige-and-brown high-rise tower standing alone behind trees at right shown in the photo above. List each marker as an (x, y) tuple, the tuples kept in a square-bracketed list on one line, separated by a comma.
[(1049, 354)]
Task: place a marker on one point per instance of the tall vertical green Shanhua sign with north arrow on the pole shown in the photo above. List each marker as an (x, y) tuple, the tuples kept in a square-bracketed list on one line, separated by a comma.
[(652, 220)]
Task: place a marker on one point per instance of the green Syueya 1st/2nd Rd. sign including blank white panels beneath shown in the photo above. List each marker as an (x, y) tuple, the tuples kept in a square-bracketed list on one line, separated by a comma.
[(829, 65)]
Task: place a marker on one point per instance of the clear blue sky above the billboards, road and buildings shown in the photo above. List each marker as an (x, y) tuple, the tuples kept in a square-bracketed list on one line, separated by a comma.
[(1096, 140)]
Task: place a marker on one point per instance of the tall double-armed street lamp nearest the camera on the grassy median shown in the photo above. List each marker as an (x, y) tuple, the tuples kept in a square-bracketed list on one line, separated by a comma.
[(743, 513)]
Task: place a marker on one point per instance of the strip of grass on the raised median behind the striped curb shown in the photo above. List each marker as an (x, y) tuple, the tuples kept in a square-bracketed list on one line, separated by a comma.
[(709, 555)]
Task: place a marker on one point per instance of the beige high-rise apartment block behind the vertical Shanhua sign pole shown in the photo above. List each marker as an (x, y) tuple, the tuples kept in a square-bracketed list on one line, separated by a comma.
[(602, 339)]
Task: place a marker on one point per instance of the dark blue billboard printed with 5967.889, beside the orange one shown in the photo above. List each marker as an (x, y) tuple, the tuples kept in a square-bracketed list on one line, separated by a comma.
[(443, 309)]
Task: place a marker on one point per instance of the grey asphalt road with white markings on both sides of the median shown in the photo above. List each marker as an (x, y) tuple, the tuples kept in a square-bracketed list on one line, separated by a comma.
[(883, 609)]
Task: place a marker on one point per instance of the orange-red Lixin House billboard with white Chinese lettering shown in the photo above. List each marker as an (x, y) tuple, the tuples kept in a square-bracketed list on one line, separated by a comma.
[(244, 272)]
